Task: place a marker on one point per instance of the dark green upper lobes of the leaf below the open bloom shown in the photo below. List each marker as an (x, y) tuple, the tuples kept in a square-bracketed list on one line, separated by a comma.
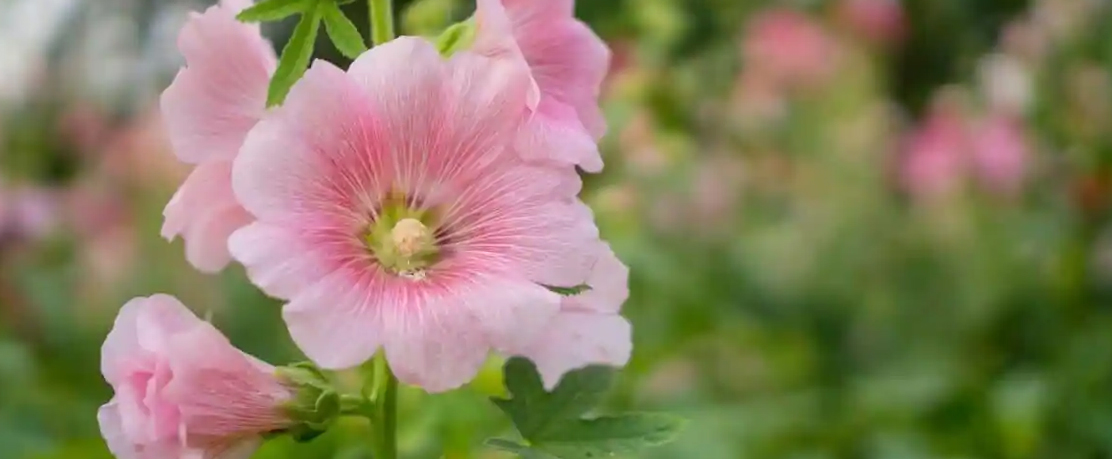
[(537, 412)]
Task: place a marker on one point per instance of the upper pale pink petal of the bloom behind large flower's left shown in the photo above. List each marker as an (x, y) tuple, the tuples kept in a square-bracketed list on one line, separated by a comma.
[(215, 102)]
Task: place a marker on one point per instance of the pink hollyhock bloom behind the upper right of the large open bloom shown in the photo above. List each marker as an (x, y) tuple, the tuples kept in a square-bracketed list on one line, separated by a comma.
[(569, 64)]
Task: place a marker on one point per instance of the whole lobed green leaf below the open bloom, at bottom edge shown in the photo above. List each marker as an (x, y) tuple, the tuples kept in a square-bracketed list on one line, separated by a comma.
[(553, 423)]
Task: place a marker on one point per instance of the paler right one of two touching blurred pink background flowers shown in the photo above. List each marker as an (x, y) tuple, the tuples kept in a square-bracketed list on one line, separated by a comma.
[(1000, 154)]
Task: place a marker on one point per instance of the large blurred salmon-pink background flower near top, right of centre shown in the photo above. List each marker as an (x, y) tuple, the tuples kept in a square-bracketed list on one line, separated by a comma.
[(789, 46)]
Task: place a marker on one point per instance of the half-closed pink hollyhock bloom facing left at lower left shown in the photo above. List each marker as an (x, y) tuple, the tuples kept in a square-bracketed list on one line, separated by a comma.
[(182, 390)]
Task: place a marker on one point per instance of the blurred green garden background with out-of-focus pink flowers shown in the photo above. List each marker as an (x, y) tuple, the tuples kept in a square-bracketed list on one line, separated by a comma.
[(870, 229)]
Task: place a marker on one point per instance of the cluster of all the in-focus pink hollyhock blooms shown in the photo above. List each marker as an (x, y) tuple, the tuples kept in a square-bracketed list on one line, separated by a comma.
[(421, 204)]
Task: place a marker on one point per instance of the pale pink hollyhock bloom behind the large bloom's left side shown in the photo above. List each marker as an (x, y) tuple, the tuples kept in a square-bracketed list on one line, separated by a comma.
[(208, 111)]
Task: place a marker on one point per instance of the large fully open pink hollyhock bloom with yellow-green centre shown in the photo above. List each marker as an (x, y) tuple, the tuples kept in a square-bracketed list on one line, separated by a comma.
[(393, 212)]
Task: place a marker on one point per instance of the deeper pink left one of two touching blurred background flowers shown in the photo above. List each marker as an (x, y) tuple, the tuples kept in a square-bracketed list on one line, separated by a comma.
[(935, 161)]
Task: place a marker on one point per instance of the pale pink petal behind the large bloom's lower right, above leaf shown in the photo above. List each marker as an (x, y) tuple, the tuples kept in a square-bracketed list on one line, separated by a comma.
[(578, 340)]
